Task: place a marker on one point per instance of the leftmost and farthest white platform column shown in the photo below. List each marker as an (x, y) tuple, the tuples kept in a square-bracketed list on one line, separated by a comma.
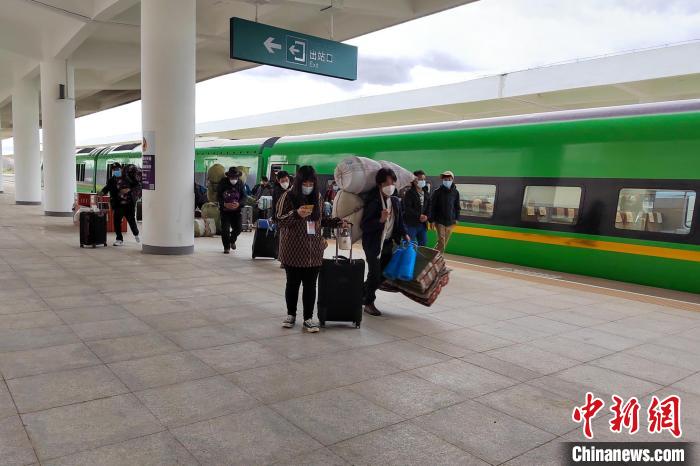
[(25, 131)]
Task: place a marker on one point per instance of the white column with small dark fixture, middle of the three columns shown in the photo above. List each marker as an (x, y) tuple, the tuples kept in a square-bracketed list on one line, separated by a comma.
[(58, 123)]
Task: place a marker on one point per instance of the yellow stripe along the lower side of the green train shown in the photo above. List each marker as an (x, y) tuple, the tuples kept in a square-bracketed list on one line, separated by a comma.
[(655, 251)]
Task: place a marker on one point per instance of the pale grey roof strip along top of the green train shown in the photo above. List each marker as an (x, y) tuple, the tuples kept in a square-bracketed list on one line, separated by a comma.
[(566, 115)]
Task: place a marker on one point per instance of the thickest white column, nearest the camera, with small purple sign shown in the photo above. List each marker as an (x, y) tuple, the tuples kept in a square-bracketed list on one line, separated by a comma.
[(168, 29)]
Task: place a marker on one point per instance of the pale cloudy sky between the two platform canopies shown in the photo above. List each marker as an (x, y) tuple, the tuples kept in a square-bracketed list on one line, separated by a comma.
[(478, 39)]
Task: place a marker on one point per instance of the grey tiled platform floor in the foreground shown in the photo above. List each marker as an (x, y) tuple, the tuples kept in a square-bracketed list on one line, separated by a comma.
[(112, 357)]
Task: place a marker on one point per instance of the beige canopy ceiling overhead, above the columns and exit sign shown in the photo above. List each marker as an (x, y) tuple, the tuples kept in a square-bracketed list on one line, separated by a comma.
[(101, 38)]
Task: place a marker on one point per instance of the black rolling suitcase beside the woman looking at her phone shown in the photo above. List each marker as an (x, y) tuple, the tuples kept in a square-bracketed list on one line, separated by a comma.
[(340, 289)]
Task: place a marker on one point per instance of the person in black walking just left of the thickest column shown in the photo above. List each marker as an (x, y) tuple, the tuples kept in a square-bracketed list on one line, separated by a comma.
[(123, 192)]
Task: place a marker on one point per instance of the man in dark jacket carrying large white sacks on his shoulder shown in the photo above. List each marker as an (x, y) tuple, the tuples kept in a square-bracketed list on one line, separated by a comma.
[(382, 226)]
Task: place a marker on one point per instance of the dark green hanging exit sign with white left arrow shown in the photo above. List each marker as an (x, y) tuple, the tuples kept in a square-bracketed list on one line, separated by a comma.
[(268, 45)]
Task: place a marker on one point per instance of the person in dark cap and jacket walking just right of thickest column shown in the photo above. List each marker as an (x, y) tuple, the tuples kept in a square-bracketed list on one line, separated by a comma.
[(231, 197)]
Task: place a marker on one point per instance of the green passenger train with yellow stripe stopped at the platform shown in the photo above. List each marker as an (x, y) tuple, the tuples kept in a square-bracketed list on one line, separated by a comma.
[(608, 193)]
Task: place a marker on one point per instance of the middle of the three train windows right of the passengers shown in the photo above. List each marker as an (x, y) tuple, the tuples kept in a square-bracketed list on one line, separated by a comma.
[(552, 204)]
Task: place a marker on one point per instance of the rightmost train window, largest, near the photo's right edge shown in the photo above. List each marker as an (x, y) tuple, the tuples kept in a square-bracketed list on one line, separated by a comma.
[(656, 210)]
